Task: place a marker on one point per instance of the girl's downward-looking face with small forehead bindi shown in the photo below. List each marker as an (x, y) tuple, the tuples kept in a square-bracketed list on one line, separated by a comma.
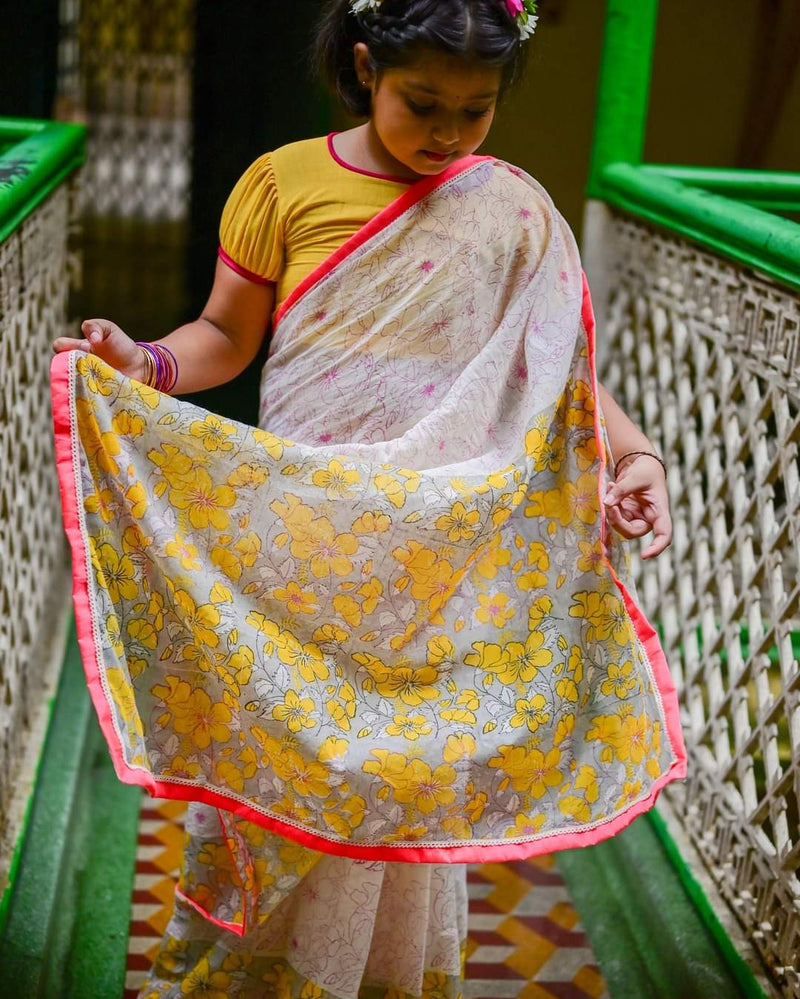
[(431, 112)]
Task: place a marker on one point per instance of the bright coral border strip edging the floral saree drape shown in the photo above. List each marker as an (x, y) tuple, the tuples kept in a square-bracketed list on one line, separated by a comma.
[(506, 848)]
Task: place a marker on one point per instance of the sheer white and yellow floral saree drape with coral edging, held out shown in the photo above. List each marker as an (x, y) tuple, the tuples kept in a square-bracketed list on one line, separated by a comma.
[(387, 622)]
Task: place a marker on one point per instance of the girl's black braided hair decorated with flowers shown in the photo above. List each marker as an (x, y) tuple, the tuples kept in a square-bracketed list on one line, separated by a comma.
[(396, 30)]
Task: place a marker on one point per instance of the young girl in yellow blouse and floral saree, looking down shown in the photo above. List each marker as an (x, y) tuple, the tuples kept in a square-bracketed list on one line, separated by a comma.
[(388, 633)]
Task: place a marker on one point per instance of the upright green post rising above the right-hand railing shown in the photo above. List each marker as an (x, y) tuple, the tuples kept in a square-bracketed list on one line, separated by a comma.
[(624, 85)]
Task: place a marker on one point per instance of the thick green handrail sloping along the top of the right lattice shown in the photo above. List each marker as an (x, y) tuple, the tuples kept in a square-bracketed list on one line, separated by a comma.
[(765, 242)]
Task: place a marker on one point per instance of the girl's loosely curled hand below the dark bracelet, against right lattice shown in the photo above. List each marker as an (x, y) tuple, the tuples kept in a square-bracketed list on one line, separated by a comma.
[(637, 502)]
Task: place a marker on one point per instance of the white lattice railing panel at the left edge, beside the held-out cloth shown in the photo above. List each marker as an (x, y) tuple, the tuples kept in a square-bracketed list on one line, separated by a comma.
[(34, 593)]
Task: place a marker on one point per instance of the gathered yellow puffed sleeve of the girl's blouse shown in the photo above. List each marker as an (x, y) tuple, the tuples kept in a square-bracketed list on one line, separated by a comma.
[(251, 232)]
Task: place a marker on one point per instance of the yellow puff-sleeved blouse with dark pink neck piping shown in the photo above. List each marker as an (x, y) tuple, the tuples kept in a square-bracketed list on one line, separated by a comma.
[(292, 208)]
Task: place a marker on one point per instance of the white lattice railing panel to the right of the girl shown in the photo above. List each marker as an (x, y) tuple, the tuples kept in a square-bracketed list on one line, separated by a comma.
[(706, 355)]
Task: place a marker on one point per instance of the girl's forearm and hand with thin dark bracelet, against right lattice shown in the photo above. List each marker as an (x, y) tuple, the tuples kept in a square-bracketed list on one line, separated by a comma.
[(637, 501)]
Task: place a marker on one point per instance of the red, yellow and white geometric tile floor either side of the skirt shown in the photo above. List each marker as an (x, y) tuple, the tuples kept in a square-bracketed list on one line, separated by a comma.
[(525, 938)]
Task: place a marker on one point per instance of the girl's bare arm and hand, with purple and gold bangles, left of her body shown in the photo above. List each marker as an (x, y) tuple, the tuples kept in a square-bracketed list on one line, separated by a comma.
[(209, 351)]
